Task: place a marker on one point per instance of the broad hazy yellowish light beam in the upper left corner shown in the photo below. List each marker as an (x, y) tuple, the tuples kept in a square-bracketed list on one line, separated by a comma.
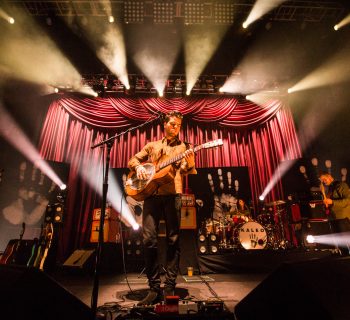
[(35, 58)]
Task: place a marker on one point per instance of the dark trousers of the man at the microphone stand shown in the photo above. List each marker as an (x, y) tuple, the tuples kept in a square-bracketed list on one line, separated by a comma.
[(154, 208)]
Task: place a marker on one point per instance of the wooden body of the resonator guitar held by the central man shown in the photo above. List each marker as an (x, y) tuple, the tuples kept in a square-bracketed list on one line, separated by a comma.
[(141, 189)]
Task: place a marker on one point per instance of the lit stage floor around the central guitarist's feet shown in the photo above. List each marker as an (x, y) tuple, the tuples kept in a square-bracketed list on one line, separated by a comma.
[(229, 287)]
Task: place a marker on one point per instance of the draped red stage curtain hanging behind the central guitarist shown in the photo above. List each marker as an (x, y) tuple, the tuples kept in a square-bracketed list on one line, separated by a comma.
[(259, 137)]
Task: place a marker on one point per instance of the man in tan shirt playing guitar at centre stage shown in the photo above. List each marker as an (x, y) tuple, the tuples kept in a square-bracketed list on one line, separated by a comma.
[(164, 202)]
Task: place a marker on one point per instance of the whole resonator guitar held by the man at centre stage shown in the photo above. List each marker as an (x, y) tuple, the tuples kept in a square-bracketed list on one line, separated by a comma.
[(158, 174)]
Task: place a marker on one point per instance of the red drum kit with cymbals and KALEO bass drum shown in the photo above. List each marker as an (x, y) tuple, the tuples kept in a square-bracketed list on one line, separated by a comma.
[(240, 231)]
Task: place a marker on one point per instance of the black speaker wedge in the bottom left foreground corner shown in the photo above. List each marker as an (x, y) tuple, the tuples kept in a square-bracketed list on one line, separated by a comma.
[(28, 293)]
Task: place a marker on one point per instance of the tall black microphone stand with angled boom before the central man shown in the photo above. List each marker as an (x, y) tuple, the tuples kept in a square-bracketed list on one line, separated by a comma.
[(109, 143)]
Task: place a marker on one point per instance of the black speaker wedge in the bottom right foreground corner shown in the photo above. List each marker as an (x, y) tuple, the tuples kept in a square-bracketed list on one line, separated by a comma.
[(315, 289)]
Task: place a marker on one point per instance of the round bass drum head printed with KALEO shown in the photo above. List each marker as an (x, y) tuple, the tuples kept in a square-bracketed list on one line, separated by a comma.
[(252, 235)]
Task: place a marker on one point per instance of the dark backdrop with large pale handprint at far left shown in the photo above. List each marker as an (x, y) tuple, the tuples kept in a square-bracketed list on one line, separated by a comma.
[(25, 193)]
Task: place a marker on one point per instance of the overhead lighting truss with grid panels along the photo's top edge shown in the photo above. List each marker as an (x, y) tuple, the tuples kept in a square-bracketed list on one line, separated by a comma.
[(189, 12)]
